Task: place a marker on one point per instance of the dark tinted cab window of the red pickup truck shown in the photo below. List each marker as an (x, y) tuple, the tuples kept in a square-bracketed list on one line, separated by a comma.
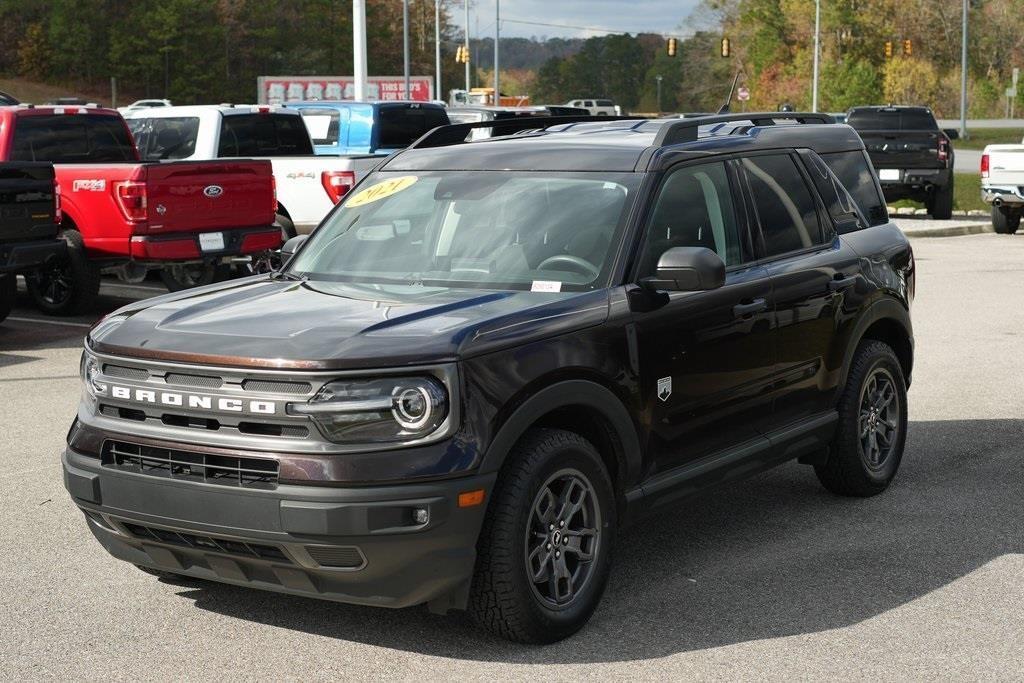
[(69, 139)]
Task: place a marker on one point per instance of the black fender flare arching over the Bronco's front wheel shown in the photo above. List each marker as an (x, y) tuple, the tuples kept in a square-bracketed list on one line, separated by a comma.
[(571, 393)]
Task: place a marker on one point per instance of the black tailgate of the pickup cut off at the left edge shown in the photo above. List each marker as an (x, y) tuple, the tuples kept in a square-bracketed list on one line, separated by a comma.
[(27, 206)]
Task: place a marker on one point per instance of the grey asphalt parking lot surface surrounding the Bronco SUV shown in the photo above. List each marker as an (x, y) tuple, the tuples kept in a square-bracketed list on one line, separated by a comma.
[(772, 579)]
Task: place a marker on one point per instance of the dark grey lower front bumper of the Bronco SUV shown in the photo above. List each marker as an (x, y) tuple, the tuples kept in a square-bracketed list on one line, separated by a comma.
[(358, 545)]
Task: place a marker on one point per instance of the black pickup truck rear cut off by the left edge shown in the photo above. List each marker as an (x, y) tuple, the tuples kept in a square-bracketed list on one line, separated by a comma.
[(30, 208)]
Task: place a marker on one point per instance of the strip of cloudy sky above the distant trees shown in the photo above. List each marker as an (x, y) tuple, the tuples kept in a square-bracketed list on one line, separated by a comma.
[(589, 18)]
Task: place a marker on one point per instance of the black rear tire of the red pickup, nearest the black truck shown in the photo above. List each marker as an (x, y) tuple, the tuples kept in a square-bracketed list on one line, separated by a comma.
[(69, 287)]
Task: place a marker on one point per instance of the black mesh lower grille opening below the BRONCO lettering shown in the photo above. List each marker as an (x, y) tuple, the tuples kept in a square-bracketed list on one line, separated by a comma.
[(175, 464)]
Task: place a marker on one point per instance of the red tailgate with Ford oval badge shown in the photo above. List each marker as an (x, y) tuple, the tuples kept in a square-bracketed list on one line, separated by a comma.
[(208, 196)]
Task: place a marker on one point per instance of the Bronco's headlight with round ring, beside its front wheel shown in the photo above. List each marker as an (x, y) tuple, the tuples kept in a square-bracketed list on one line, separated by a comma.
[(378, 411)]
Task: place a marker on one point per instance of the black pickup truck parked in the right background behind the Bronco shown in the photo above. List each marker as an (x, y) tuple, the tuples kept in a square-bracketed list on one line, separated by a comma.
[(914, 158)]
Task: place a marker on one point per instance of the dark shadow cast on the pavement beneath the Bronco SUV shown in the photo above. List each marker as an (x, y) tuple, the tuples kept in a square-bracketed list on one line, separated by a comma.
[(771, 558)]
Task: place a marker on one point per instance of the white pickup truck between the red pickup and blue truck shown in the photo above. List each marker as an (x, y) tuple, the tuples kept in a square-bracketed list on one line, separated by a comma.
[(308, 186)]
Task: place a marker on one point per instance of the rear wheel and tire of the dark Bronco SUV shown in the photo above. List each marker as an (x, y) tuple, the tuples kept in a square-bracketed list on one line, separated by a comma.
[(854, 466)]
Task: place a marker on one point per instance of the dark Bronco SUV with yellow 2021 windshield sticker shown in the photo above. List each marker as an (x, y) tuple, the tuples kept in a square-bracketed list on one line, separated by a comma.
[(494, 355)]
